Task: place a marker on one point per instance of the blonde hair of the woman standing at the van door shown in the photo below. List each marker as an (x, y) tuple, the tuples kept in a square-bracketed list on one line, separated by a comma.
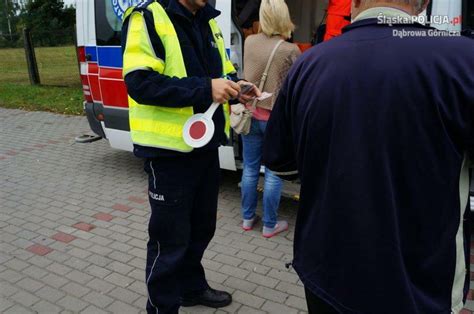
[(275, 18)]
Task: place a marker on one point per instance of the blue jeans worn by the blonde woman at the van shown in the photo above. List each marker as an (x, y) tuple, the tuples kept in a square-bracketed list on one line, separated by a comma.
[(252, 151)]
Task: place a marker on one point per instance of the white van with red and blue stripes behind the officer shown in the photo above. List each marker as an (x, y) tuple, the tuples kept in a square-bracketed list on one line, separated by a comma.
[(100, 56)]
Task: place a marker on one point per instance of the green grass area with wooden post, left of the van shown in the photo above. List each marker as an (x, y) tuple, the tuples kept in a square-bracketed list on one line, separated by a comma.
[(61, 90)]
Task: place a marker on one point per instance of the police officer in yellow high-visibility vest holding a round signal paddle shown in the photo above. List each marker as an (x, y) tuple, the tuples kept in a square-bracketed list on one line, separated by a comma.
[(175, 65)]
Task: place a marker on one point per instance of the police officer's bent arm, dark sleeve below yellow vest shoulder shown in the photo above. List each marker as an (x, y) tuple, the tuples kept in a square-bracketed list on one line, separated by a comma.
[(144, 65)]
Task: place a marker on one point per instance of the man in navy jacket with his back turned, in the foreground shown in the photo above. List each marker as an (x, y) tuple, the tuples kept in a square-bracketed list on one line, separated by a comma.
[(378, 123)]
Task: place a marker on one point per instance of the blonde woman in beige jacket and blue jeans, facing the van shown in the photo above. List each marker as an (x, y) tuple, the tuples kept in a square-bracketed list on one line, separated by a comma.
[(275, 25)]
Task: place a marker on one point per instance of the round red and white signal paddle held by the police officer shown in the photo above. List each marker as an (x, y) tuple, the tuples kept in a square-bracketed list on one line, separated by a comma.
[(199, 129)]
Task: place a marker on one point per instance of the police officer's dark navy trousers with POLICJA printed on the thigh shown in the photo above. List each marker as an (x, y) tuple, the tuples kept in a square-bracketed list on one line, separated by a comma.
[(183, 194)]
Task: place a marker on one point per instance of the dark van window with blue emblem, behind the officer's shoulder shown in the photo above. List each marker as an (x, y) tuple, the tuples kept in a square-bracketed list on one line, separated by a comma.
[(108, 20)]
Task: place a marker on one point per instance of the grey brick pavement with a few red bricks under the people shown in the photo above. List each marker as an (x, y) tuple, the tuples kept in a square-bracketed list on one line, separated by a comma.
[(73, 229)]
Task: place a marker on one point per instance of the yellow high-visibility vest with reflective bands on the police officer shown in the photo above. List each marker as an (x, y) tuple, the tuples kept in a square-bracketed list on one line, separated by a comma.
[(156, 126)]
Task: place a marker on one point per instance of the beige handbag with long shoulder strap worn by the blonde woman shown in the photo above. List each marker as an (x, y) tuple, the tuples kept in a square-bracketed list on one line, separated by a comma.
[(240, 116)]
